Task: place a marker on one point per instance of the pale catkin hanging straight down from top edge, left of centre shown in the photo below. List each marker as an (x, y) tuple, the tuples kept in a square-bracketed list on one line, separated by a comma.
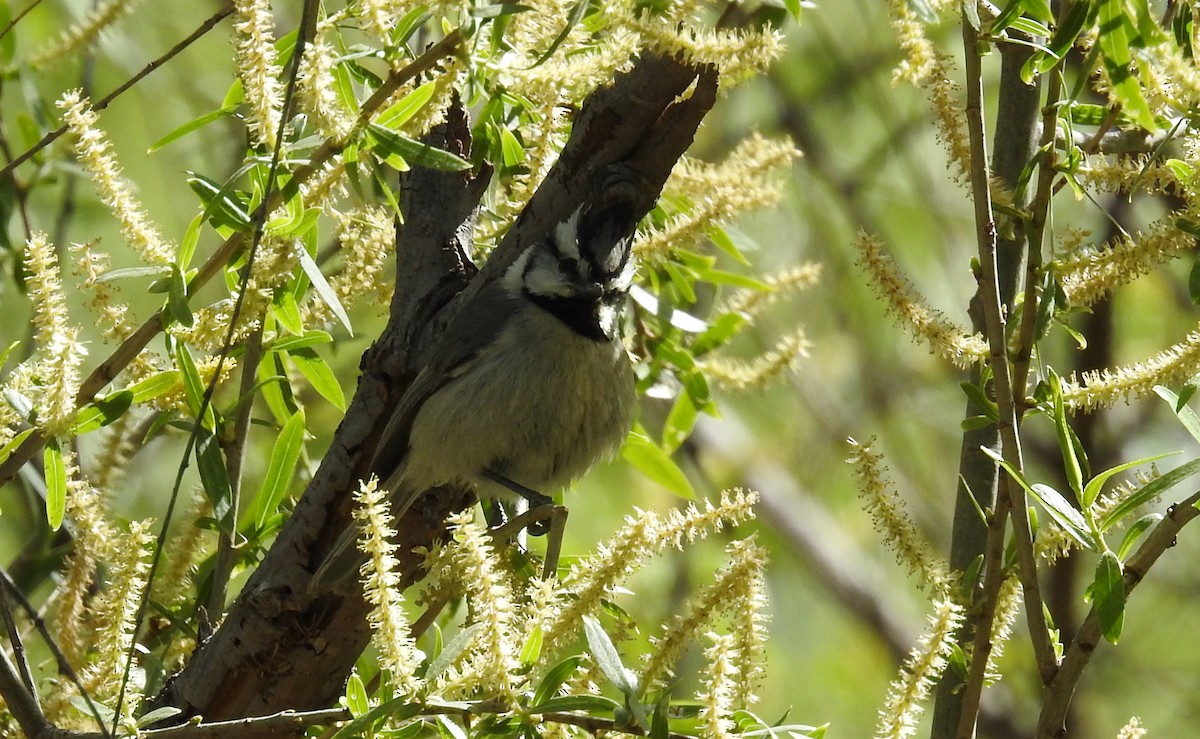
[(259, 68)]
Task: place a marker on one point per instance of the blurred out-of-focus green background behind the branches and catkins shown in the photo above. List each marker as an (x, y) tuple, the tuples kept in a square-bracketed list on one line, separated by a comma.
[(843, 612)]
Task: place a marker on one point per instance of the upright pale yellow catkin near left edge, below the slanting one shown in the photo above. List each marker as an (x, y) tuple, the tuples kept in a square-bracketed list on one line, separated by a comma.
[(61, 355)]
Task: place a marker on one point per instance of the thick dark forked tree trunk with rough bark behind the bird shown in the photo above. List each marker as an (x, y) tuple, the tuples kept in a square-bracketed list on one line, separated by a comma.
[(281, 648)]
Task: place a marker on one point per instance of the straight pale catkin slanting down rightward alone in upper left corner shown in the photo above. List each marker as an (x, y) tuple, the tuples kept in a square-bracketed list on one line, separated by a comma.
[(97, 157)]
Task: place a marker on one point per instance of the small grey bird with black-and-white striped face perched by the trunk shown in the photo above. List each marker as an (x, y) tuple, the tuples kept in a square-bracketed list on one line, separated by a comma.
[(530, 386)]
